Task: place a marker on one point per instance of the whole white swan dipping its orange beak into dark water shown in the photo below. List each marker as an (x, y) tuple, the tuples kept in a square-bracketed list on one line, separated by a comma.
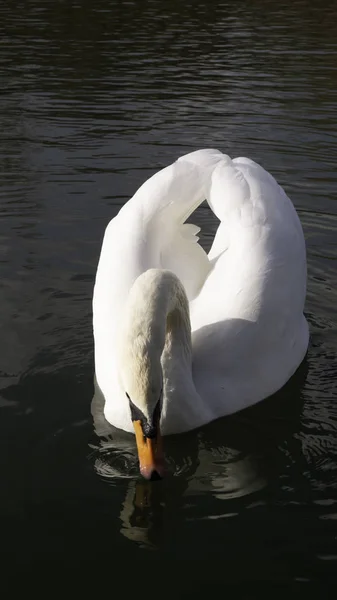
[(183, 337)]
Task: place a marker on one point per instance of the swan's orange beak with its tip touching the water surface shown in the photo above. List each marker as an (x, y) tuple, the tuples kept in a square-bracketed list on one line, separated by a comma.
[(150, 453)]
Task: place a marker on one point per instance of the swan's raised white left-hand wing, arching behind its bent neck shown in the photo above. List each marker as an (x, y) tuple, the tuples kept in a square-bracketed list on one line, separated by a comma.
[(148, 232)]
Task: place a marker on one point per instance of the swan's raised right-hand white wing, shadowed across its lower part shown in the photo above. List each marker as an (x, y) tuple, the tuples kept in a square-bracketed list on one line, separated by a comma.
[(249, 332)]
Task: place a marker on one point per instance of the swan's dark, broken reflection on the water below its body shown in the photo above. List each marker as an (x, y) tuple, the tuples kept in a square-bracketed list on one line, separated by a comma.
[(230, 459)]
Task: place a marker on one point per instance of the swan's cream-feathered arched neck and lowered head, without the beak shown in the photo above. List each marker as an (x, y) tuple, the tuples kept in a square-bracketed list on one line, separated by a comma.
[(155, 355)]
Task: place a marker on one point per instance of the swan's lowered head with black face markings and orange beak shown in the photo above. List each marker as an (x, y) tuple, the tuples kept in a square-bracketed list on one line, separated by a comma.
[(142, 380)]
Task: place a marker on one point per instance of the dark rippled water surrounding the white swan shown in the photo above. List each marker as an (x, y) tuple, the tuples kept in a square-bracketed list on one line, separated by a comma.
[(96, 96)]
